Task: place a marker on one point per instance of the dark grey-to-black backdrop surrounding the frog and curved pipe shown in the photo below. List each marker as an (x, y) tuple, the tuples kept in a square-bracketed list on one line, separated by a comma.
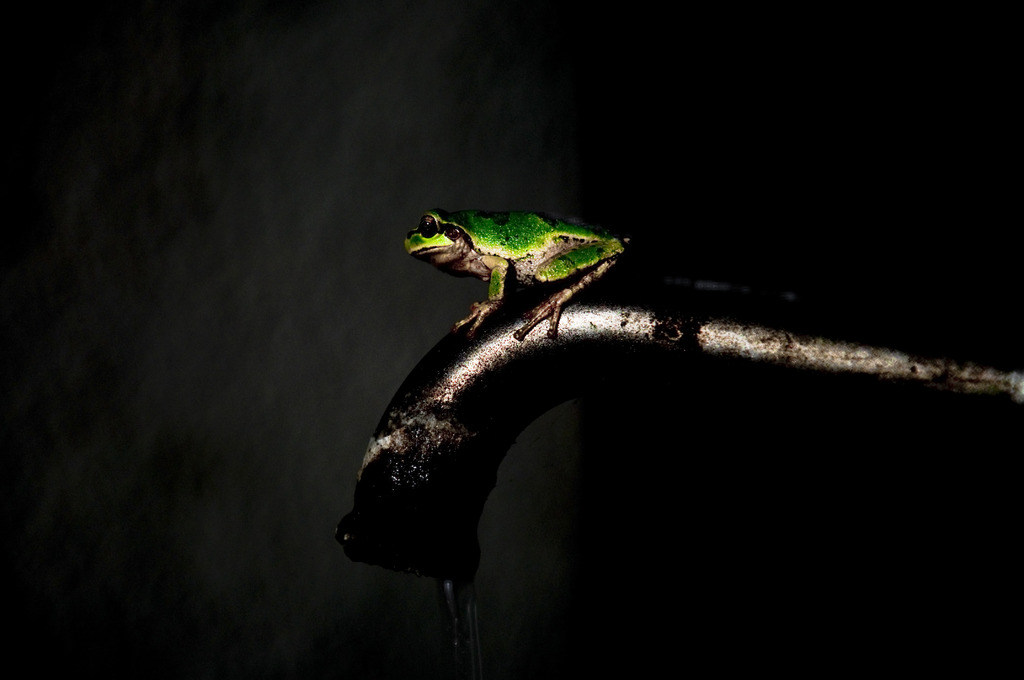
[(206, 309)]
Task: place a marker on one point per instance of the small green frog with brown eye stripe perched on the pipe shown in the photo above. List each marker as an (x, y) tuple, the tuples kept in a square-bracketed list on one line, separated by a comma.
[(516, 248)]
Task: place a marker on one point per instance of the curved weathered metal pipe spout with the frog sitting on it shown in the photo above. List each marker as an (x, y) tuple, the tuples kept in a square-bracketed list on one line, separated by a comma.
[(434, 459)]
